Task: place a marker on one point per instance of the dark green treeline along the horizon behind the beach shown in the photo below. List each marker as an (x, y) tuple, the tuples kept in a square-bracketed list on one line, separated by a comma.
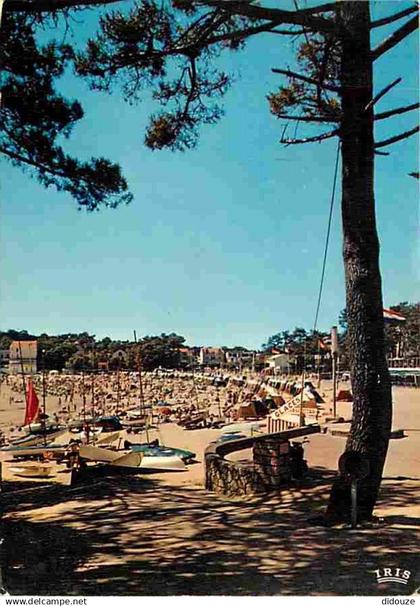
[(77, 351)]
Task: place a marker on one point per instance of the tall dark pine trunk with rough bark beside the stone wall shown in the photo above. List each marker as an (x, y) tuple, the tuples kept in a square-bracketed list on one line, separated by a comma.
[(372, 407)]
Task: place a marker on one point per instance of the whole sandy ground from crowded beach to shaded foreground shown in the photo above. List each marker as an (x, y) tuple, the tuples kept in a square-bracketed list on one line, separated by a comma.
[(165, 534)]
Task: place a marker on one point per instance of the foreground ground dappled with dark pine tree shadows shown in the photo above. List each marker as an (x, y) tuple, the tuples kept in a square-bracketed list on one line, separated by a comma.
[(139, 536)]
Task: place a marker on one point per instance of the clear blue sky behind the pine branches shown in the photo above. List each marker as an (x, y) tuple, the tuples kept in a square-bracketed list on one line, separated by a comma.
[(222, 244)]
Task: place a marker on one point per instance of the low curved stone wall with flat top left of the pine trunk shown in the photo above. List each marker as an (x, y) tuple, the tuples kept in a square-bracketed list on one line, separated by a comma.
[(269, 470)]
